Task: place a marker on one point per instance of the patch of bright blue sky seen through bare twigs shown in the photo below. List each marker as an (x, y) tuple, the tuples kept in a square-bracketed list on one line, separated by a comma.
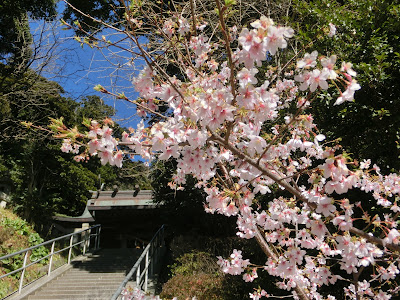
[(78, 69)]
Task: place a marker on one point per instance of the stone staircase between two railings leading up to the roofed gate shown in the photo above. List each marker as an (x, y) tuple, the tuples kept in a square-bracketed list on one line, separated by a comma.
[(95, 278)]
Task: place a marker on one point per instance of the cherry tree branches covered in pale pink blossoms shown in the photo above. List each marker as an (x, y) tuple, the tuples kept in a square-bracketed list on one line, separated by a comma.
[(239, 121)]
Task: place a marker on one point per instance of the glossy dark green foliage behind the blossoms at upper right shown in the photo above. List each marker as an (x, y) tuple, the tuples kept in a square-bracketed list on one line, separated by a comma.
[(368, 34)]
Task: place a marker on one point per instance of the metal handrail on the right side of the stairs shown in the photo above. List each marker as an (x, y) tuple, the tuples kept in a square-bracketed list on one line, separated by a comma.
[(147, 260)]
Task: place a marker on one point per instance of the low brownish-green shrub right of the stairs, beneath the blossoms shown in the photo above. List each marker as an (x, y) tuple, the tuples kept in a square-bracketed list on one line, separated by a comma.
[(194, 271)]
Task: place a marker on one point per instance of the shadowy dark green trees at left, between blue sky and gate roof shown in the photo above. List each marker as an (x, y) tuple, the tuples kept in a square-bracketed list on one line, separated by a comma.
[(45, 180)]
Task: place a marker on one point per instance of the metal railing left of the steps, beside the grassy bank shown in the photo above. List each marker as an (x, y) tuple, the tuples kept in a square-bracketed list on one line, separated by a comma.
[(84, 237)]
